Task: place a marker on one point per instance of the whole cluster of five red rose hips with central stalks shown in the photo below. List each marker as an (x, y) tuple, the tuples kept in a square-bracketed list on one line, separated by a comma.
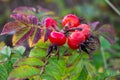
[(74, 32)]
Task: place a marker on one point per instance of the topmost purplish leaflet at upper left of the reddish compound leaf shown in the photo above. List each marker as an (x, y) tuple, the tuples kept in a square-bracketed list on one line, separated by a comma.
[(24, 10)]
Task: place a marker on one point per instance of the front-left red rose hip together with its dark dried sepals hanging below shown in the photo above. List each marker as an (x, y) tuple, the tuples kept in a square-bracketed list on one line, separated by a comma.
[(57, 39)]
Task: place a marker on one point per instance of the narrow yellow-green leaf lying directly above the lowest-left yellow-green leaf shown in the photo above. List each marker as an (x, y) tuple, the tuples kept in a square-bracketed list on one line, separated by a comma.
[(29, 61)]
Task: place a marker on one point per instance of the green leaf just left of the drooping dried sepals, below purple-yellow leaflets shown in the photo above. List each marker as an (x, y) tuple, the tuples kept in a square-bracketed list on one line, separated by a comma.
[(38, 52)]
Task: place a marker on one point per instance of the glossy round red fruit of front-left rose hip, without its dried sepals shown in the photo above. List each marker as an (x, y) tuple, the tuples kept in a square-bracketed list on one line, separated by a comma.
[(57, 38)]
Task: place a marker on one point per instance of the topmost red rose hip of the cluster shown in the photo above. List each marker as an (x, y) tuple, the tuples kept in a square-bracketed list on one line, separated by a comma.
[(70, 20)]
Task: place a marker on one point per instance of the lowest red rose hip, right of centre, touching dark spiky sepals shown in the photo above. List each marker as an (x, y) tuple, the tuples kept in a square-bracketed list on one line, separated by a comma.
[(75, 39)]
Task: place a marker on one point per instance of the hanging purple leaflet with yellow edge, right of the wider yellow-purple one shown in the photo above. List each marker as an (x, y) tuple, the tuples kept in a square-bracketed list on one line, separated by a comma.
[(35, 37)]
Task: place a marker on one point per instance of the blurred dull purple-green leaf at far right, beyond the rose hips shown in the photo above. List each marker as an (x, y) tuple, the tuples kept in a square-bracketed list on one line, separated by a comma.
[(107, 32)]
